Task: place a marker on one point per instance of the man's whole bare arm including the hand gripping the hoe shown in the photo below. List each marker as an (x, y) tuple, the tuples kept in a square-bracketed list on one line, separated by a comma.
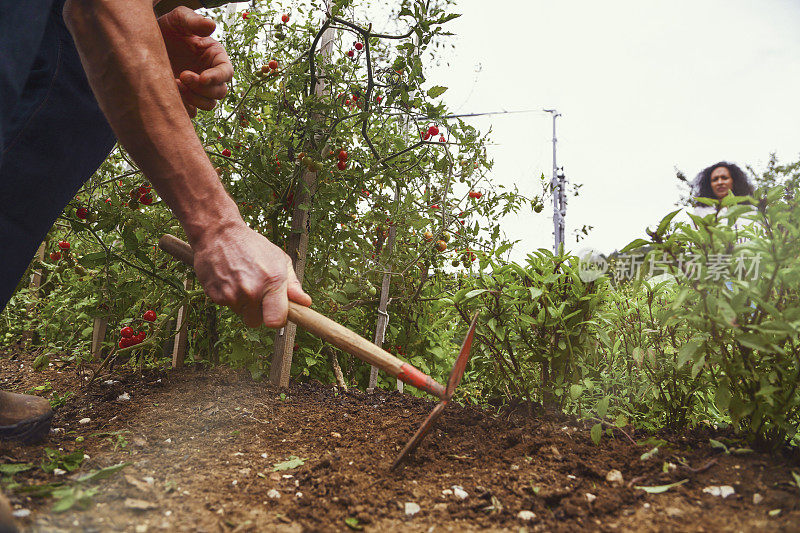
[(126, 62)]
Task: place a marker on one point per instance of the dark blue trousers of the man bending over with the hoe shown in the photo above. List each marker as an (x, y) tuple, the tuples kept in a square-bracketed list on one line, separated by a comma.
[(53, 137)]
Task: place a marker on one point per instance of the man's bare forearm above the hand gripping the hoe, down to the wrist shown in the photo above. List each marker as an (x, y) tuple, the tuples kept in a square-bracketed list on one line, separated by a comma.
[(126, 62)]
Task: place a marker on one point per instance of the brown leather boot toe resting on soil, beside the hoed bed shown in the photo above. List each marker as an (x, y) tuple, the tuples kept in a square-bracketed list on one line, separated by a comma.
[(24, 417)]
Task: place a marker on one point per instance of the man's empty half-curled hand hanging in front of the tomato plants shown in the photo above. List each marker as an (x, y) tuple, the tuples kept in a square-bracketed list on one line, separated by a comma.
[(199, 63)]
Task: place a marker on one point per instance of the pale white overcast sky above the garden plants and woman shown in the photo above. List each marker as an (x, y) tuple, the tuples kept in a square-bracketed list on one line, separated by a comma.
[(643, 88)]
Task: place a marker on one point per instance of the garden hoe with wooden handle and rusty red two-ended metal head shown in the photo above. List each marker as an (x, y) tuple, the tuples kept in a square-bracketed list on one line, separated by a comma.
[(344, 339)]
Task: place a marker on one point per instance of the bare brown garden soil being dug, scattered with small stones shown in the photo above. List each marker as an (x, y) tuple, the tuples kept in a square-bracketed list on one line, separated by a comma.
[(202, 444)]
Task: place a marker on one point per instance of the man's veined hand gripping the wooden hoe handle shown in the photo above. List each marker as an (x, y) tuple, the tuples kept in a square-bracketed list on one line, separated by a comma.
[(241, 269)]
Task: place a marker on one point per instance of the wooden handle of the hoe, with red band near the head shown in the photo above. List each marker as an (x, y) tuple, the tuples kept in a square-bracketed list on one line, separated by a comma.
[(332, 332)]
